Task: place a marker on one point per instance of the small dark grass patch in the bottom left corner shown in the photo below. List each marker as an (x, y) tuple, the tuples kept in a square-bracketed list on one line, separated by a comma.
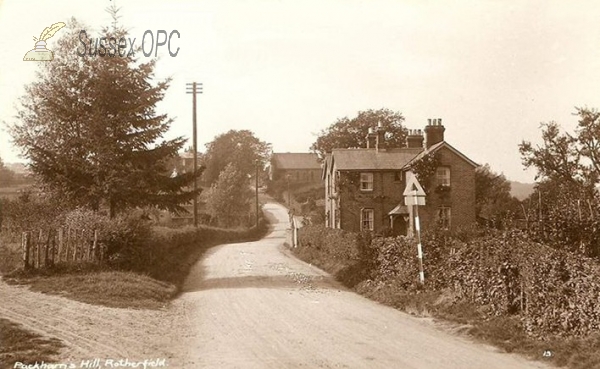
[(20, 345)]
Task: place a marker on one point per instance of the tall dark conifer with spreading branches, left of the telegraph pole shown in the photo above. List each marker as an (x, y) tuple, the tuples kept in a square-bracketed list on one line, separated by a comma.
[(90, 128)]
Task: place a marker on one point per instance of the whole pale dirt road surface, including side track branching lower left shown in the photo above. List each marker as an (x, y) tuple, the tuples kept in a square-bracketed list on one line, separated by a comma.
[(252, 305)]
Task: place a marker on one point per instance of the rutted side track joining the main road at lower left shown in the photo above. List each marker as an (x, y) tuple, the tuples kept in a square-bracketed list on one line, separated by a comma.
[(89, 332)]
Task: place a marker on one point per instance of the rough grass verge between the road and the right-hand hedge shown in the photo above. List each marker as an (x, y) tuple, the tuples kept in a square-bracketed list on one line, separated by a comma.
[(462, 317)]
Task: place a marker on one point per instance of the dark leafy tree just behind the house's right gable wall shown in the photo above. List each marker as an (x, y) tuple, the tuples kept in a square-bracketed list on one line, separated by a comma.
[(493, 200)]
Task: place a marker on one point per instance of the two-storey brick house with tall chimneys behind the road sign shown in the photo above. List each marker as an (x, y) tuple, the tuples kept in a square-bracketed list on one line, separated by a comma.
[(364, 187)]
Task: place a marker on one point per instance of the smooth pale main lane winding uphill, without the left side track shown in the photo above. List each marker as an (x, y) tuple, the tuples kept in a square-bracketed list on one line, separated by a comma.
[(253, 305)]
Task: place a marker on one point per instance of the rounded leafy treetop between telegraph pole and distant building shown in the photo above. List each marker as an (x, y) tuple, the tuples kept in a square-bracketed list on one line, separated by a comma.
[(239, 147)]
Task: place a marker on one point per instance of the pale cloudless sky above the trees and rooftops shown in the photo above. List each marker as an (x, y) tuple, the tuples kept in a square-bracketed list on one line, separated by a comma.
[(492, 70)]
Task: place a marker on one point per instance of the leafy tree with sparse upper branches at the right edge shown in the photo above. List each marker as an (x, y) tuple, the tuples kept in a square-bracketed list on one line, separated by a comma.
[(563, 211)]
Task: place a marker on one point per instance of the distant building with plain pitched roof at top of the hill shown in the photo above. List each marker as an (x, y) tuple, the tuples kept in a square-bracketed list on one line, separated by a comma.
[(302, 168)]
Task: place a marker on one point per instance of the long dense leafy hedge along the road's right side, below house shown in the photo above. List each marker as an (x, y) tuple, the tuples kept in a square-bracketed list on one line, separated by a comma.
[(552, 291)]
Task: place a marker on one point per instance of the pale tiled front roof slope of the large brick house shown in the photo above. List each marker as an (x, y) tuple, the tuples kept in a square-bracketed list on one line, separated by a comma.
[(357, 159)]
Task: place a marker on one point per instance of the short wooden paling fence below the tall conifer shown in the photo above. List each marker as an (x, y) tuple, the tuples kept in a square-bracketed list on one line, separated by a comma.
[(44, 249)]
